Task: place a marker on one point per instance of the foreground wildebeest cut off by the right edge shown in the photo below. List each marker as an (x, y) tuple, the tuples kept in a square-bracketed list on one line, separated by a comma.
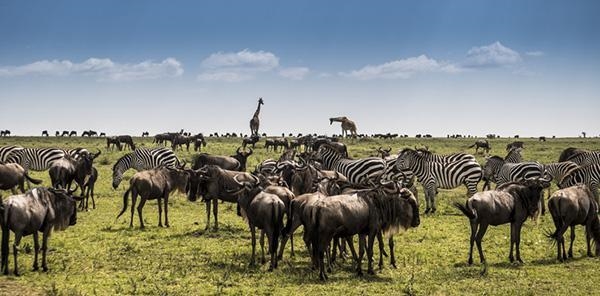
[(570, 207)]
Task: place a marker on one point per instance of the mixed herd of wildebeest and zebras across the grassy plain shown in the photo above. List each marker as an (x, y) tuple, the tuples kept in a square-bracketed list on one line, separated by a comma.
[(313, 184)]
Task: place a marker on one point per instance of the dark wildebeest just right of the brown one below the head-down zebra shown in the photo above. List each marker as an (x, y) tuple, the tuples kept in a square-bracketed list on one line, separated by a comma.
[(214, 183)]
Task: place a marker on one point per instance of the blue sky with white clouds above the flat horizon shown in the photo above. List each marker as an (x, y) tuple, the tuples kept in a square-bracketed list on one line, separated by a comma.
[(439, 67)]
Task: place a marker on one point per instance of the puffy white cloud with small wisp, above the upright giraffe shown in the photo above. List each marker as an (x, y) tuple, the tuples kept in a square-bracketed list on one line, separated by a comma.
[(246, 65)]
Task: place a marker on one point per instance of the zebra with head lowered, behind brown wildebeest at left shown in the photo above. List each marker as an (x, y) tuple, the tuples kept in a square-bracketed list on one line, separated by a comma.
[(143, 159)]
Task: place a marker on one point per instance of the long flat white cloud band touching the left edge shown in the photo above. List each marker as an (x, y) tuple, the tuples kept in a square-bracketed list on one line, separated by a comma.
[(102, 69)]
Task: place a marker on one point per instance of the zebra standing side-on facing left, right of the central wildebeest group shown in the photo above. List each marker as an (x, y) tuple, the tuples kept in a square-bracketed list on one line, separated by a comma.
[(434, 175)]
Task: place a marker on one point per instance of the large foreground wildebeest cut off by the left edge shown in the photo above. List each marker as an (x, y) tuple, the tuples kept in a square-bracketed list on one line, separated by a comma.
[(37, 210)]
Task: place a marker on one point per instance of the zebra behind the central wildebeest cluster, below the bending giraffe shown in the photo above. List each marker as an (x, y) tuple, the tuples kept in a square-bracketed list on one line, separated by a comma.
[(360, 171)]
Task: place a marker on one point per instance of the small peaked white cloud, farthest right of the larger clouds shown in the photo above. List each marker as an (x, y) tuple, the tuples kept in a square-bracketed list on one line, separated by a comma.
[(493, 55)]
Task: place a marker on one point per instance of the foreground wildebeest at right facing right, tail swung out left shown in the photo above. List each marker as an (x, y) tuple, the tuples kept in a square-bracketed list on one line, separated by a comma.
[(510, 203)]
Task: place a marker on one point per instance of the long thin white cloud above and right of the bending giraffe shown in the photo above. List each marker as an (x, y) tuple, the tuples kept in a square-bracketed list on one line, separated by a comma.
[(404, 68)]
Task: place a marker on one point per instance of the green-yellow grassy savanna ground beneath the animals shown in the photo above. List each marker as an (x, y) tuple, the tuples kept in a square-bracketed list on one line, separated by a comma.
[(103, 256)]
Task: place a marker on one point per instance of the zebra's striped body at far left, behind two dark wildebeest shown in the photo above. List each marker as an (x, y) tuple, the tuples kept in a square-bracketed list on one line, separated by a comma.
[(35, 159)]
